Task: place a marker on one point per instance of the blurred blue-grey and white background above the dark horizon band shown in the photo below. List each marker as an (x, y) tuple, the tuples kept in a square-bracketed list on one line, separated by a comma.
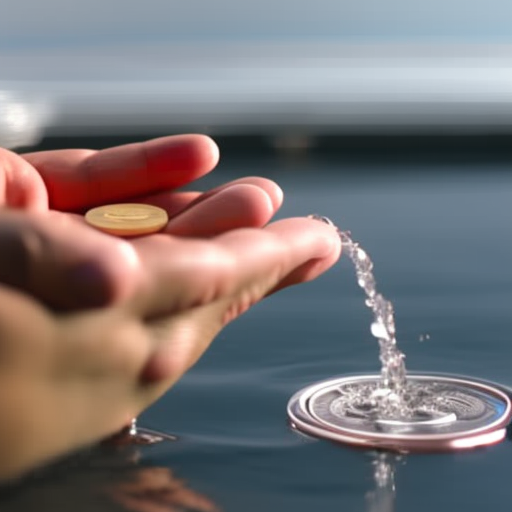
[(280, 69)]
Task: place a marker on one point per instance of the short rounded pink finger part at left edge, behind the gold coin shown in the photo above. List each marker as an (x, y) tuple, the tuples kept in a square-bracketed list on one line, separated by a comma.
[(20, 185)]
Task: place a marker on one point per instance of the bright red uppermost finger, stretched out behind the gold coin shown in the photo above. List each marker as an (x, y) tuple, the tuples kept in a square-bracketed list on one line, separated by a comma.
[(80, 178)]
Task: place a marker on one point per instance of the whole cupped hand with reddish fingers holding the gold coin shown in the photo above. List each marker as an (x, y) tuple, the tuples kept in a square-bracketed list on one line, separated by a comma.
[(94, 328)]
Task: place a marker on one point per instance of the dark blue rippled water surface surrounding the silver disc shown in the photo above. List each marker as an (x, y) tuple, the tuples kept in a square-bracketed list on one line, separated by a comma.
[(440, 236)]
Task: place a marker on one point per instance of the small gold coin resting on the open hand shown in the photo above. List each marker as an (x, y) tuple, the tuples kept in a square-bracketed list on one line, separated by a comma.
[(128, 219)]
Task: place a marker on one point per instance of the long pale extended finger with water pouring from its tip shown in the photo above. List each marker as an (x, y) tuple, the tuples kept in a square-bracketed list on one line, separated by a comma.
[(185, 273)]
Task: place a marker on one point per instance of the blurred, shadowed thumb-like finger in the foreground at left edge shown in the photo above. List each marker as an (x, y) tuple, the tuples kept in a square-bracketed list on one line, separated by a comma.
[(62, 263)]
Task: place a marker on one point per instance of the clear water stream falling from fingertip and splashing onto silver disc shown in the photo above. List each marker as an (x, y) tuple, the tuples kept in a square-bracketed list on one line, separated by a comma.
[(393, 398)]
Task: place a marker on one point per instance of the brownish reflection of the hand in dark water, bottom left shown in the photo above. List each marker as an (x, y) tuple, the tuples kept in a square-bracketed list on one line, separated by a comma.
[(108, 478)]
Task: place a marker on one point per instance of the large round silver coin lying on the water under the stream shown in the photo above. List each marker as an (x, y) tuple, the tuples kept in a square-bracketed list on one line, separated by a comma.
[(438, 413)]
